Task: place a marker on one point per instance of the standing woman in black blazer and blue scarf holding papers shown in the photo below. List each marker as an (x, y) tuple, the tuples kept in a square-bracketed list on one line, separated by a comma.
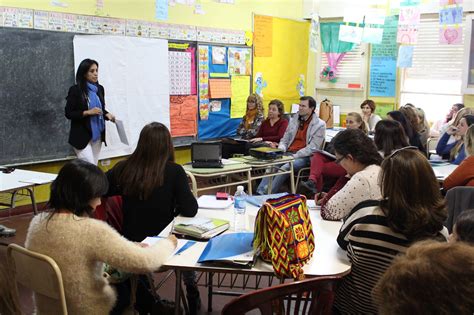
[(85, 108)]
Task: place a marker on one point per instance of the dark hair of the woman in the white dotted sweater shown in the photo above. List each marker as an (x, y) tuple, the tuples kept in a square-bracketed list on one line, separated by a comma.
[(356, 143)]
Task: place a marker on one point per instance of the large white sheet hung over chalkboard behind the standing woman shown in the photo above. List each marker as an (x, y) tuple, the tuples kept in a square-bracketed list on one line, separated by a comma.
[(134, 73)]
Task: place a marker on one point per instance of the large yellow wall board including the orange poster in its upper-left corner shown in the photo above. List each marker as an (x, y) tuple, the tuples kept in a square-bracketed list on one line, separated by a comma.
[(280, 59)]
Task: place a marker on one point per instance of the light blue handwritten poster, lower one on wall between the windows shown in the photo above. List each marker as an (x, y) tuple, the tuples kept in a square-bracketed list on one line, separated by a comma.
[(383, 75)]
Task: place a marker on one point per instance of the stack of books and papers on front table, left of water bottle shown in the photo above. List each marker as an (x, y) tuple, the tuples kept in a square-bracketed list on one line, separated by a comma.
[(201, 228)]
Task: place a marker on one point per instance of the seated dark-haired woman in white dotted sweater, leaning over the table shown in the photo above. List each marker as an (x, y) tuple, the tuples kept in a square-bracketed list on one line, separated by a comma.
[(357, 154)]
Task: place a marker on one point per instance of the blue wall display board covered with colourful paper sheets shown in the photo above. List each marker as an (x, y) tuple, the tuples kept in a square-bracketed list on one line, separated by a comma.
[(224, 85)]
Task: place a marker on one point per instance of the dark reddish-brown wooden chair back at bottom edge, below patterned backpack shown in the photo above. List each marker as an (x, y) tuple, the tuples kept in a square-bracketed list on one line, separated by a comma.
[(310, 296)]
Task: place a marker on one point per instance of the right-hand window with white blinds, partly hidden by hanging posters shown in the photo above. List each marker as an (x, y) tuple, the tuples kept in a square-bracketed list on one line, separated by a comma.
[(434, 82)]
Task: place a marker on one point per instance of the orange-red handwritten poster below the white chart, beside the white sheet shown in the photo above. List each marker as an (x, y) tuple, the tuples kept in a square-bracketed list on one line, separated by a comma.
[(183, 115)]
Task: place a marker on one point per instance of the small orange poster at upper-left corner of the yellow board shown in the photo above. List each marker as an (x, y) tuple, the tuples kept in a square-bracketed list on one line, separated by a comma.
[(263, 35)]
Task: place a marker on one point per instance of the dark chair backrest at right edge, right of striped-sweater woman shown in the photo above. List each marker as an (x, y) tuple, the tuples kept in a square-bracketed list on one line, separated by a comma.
[(458, 199)]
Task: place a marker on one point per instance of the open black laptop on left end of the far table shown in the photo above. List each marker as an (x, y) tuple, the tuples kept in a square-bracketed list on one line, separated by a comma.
[(206, 155)]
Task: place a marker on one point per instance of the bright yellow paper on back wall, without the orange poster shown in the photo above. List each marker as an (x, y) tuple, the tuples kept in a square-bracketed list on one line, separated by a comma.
[(280, 75)]
